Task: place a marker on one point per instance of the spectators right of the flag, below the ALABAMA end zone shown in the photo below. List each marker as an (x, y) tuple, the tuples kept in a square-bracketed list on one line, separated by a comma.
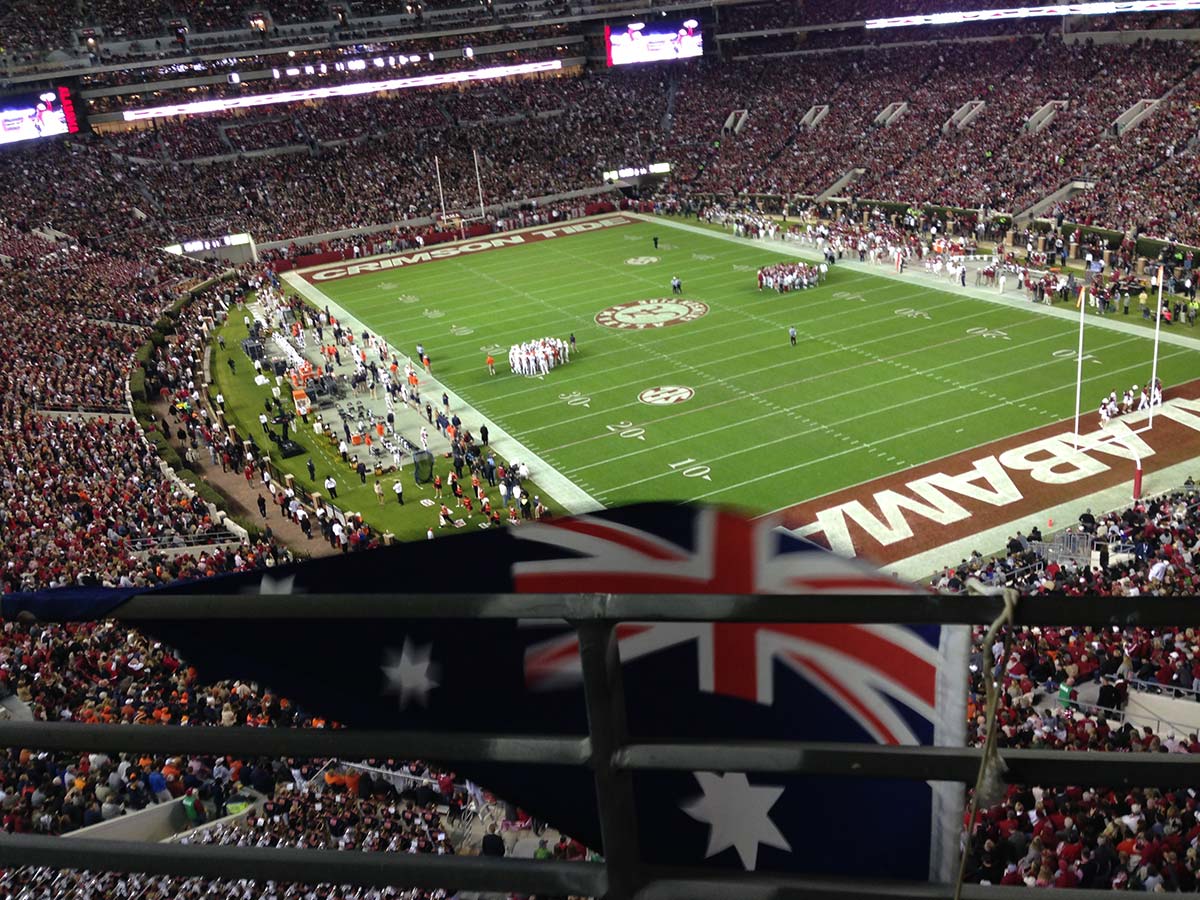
[(1089, 837)]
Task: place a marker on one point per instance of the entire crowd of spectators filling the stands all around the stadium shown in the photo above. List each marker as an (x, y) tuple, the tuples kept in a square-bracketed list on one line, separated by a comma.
[(87, 502)]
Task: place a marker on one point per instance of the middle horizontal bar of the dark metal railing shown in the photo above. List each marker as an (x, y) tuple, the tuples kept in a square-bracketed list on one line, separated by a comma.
[(920, 764)]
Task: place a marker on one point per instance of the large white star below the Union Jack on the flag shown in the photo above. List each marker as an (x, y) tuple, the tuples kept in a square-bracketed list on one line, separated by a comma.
[(737, 815)]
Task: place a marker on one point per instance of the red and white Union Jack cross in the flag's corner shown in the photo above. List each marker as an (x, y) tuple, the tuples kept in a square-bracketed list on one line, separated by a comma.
[(866, 670)]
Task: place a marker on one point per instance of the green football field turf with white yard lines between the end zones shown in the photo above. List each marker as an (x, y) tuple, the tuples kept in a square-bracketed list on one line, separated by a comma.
[(867, 393)]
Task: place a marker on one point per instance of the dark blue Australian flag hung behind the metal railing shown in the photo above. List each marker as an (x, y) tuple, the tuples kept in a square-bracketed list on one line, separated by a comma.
[(885, 685)]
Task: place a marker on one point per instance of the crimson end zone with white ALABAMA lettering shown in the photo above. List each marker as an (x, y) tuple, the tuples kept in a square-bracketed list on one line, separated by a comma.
[(913, 512)]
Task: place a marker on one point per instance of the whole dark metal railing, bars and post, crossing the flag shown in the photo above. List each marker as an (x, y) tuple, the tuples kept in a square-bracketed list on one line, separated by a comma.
[(607, 751)]
